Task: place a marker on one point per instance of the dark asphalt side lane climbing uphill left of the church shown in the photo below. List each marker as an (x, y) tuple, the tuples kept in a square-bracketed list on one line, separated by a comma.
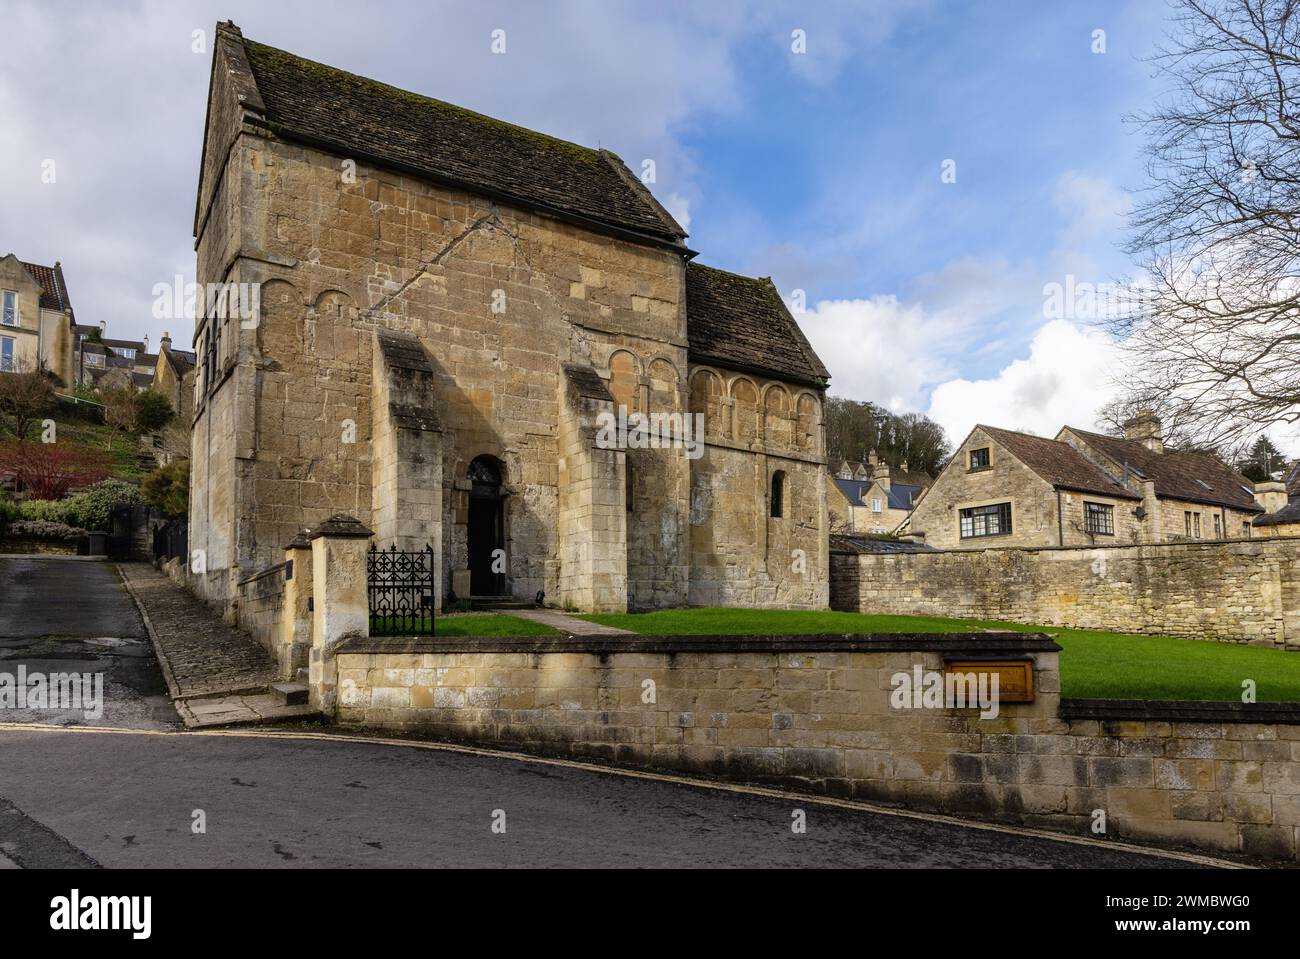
[(75, 617)]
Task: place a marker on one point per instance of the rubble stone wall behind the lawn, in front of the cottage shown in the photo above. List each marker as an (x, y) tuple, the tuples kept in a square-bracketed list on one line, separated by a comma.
[(1245, 592)]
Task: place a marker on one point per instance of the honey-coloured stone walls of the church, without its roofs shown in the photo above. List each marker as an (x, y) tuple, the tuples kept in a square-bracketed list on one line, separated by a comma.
[(502, 301)]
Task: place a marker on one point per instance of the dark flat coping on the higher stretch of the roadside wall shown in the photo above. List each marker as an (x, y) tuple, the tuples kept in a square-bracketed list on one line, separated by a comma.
[(1000, 644)]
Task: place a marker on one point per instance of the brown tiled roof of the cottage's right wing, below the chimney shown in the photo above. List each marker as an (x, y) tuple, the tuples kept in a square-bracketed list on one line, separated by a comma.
[(1194, 478)]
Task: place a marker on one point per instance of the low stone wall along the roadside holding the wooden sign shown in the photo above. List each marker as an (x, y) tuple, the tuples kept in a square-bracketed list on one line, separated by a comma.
[(817, 714)]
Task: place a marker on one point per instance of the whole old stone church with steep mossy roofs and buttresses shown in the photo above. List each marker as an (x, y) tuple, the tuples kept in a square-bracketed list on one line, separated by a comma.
[(444, 307)]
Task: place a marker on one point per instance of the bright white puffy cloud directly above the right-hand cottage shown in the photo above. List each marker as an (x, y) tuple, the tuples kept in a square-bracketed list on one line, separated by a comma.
[(1065, 380)]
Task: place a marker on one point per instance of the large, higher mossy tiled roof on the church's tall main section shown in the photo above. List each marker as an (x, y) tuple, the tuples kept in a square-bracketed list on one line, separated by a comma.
[(365, 119)]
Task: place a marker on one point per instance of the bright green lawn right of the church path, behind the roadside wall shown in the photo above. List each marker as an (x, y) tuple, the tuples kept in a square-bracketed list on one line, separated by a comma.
[(1104, 666)]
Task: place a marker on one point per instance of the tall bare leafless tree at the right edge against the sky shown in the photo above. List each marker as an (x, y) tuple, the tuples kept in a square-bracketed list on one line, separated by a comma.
[(1217, 232)]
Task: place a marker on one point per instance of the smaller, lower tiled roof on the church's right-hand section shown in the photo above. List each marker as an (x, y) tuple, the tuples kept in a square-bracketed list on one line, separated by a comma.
[(742, 323)]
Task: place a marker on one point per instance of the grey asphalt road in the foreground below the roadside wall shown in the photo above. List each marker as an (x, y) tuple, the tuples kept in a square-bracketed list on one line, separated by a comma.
[(123, 800)]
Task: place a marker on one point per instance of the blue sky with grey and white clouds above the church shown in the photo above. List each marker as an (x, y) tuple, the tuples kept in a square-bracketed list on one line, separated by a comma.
[(911, 173)]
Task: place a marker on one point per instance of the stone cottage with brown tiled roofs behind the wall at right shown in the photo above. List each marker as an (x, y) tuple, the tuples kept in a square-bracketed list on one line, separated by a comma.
[(1004, 489)]
